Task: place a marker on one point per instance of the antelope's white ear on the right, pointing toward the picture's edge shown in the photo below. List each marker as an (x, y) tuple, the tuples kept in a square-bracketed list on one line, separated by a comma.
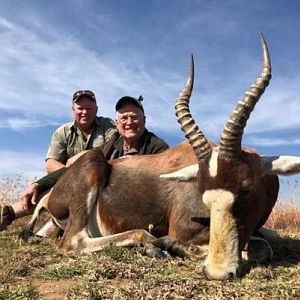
[(280, 165)]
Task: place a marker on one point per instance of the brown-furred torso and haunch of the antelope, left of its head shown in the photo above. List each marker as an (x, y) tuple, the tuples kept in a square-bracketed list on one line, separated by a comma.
[(133, 198)]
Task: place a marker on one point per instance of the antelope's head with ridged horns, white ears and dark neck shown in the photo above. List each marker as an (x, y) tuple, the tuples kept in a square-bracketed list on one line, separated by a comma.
[(237, 185)]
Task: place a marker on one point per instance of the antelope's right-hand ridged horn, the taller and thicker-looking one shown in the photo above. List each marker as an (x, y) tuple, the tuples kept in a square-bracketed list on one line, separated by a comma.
[(230, 143)]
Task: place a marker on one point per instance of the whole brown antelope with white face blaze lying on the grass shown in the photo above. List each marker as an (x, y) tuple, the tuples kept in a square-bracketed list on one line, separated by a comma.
[(98, 202)]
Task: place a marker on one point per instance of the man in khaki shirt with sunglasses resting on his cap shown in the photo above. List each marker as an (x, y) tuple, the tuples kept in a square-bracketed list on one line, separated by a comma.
[(72, 139)]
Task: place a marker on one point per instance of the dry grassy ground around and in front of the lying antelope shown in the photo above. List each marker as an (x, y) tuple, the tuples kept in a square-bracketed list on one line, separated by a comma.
[(39, 270)]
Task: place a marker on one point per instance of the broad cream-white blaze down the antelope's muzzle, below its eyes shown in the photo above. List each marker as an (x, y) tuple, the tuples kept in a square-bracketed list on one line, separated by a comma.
[(223, 257)]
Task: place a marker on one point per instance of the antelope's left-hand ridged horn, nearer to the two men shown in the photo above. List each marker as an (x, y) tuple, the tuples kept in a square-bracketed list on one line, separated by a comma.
[(195, 137)]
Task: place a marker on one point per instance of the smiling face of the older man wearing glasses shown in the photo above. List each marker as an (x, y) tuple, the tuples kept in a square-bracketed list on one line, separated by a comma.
[(130, 121)]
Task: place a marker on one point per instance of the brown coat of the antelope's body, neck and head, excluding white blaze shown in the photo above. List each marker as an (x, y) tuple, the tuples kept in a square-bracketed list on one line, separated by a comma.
[(131, 196)]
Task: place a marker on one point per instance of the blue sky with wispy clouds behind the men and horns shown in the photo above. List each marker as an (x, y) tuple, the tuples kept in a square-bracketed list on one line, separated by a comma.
[(49, 49)]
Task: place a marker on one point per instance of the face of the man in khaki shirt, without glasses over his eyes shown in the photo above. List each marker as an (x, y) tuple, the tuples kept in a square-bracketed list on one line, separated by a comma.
[(84, 111)]
